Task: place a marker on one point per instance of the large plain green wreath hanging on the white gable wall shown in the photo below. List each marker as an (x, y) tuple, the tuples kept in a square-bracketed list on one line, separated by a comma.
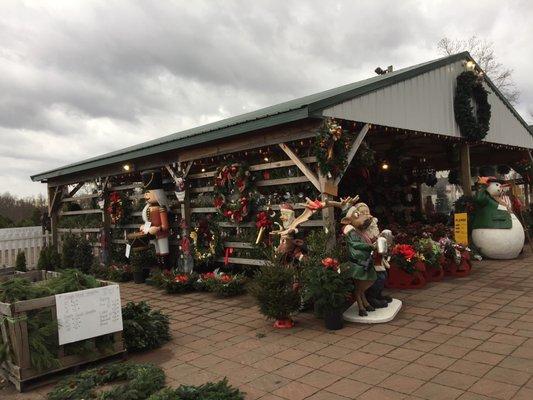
[(470, 86)]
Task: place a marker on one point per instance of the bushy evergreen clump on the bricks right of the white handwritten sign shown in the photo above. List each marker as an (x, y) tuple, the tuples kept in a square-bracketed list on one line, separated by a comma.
[(144, 328)]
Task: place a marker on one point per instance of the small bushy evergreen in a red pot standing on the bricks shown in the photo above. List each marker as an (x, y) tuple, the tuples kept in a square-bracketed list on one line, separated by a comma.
[(276, 292)]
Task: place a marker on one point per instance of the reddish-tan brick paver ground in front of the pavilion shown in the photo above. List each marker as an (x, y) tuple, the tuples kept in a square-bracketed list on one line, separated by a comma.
[(464, 338)]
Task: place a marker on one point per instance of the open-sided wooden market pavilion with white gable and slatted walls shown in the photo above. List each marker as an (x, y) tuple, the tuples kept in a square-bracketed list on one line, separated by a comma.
[(393, 130)]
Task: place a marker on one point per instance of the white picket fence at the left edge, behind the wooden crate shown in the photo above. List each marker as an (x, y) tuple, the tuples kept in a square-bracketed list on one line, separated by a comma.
[(28, 239)]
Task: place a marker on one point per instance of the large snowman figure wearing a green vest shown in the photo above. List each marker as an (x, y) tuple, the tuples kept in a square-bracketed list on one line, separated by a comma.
[(496, 231)]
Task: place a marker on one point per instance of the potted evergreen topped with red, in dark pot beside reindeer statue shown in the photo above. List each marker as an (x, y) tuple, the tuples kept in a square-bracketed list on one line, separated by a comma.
[(329, 285)]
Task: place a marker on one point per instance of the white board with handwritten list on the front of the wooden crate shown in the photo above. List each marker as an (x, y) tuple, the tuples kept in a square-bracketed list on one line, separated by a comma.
[(88, 313)]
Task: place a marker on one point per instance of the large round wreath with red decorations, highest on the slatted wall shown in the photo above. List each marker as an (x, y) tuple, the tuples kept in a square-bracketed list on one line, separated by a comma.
[(232, 191)]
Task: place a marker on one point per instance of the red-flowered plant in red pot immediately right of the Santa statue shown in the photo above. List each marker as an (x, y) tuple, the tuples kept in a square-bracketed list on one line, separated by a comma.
[(406, 268)]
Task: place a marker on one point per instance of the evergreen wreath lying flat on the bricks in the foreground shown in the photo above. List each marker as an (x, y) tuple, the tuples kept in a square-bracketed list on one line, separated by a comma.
[(142, 380)]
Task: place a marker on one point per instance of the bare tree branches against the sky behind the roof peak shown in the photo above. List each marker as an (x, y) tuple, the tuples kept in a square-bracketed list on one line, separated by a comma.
[(483, 52)]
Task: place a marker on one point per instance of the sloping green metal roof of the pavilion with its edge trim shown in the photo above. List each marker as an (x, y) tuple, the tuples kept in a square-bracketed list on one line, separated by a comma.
[(301, 108)]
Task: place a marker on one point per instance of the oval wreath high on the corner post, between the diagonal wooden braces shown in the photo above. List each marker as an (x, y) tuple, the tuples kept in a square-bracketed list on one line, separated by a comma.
[(331, 144)]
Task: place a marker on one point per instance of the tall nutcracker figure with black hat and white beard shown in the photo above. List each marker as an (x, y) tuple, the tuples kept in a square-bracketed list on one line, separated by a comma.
[(155, 215)]
